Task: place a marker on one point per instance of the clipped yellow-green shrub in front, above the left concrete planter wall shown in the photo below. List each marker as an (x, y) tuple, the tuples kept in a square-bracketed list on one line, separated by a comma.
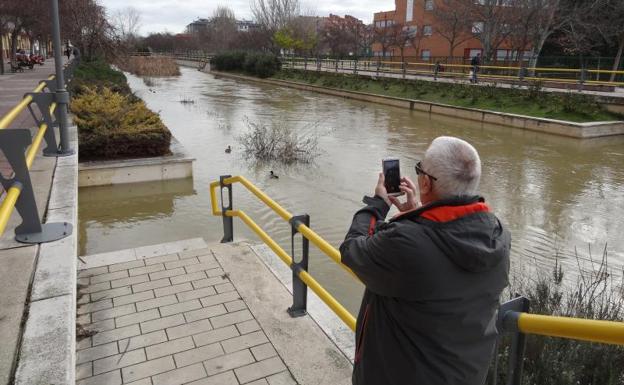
[(112, 125)]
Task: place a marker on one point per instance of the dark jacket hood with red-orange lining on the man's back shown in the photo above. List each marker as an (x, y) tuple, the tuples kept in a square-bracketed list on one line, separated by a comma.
[(466, 232)]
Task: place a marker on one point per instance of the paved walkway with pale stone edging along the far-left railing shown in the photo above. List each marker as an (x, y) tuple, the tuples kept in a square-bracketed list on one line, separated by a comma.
[(37, 278)]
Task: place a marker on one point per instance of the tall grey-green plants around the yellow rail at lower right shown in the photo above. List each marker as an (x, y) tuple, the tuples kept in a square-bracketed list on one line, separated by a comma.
[(595, 293)]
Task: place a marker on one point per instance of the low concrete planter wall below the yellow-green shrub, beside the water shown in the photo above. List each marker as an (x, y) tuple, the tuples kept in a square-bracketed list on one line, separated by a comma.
[(110, 172)]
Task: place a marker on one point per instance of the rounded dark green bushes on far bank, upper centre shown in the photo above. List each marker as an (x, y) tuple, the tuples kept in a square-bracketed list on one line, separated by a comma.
[(260, 64)]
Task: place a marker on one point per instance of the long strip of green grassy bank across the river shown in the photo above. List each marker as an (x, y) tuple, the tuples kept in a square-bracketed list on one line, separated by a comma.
[(532, 102)]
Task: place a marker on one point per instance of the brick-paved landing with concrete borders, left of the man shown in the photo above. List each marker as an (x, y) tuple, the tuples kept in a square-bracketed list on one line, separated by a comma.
[(165, 317)]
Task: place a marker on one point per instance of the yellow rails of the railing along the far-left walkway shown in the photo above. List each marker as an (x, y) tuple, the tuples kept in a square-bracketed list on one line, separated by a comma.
[(8, 204)]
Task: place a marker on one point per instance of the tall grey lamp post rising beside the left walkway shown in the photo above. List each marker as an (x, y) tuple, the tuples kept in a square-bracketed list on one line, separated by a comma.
[(62, 96)]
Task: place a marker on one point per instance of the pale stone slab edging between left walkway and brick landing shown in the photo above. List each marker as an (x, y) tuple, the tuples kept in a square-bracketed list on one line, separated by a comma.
[(47, 353)]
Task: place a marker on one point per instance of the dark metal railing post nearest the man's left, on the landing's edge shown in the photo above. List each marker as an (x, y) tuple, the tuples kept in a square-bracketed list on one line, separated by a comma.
[(300, 290)]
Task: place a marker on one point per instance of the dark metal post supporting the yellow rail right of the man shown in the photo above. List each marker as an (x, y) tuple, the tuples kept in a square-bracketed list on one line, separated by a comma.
[(508, 321)]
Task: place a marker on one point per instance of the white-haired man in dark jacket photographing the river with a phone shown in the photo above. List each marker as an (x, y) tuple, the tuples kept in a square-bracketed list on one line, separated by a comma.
[(433, 275)]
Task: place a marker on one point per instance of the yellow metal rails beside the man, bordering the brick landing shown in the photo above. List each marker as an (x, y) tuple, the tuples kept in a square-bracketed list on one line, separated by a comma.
[(609, 332)]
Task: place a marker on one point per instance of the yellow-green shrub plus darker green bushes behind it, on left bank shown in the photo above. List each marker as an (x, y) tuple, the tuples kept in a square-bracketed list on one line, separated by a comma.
[(112, 122)]
